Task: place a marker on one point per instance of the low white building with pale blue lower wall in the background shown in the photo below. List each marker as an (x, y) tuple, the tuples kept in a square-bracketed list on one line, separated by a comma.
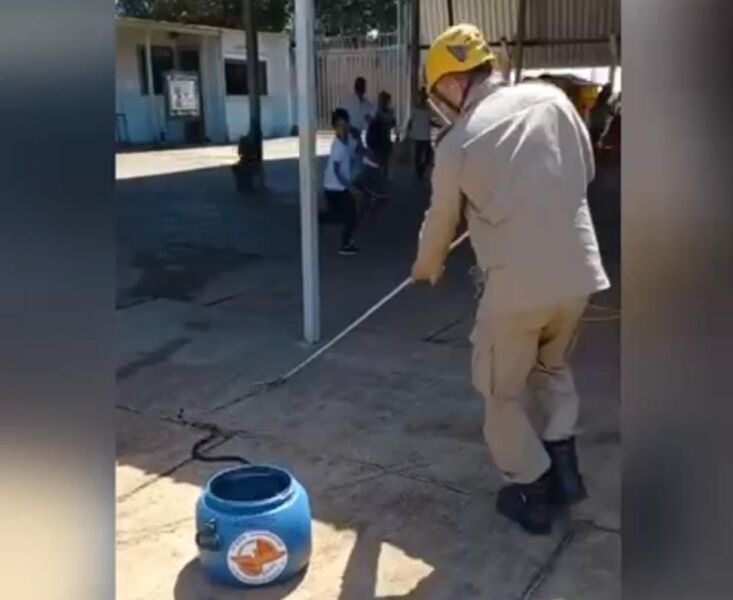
[(219, 57)]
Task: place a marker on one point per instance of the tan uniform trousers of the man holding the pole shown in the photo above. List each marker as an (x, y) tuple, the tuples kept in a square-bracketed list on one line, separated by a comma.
[(518, 350)]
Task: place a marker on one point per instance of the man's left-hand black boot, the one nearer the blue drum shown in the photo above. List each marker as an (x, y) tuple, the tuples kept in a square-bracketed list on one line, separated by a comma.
[(526, 505)]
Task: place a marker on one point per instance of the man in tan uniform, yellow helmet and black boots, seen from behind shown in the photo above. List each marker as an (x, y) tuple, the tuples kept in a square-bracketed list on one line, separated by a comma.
[(516, 162)]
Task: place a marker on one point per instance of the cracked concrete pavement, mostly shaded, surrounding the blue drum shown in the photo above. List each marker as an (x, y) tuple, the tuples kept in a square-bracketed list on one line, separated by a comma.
[(384, 430)]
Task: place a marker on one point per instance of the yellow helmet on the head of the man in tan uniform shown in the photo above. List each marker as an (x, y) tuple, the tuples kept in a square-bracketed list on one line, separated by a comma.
[(458, 49)]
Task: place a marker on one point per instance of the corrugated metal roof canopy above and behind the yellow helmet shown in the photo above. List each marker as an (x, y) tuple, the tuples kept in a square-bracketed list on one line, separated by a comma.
[(556, 33)]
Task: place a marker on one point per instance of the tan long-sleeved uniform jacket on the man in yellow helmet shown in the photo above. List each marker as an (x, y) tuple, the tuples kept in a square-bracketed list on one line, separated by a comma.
[(518, 161)]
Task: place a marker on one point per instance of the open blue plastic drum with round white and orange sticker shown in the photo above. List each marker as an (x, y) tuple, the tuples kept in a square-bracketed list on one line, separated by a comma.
[(253, 526)]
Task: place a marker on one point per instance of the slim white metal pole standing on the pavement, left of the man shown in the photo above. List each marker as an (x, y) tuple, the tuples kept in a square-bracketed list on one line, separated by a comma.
[(306, 77)]
